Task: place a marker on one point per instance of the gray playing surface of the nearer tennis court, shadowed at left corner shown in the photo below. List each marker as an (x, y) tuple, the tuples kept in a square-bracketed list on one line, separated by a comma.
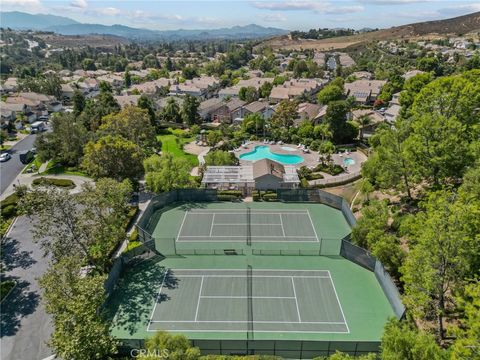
[(300, 301)]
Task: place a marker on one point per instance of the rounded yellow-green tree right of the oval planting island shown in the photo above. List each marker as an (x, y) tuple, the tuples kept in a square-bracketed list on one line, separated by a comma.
[(115, 157)]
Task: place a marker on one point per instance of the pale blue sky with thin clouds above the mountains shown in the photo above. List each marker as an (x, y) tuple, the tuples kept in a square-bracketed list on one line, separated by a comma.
[(285, 14)]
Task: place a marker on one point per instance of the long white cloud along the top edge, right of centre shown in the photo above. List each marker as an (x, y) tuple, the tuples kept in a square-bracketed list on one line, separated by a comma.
[(309, 5)]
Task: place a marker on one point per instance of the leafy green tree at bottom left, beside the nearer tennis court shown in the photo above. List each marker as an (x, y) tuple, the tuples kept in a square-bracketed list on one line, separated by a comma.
[(75, 303)]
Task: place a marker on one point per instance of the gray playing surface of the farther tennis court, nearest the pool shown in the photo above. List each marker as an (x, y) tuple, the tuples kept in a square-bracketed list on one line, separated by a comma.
[(208, 225)]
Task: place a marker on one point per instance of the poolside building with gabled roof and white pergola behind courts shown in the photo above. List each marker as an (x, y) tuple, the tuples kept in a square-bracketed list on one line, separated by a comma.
[(263, 174)]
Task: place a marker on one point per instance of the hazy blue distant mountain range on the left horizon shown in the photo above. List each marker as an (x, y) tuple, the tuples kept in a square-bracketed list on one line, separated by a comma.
[(66, 26)]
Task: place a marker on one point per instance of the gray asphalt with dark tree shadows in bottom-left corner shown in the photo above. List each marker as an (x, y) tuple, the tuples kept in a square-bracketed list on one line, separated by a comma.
[(25, 327)]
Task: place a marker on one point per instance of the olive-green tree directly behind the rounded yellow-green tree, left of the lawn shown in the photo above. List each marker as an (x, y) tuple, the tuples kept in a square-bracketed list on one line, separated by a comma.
[(133, 124)]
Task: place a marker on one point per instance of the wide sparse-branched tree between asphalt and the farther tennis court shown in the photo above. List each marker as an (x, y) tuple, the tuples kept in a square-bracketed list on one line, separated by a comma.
[(88, 224)]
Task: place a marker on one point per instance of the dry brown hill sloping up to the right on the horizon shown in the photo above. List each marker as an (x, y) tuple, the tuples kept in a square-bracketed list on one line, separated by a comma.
[(454, 26)]
